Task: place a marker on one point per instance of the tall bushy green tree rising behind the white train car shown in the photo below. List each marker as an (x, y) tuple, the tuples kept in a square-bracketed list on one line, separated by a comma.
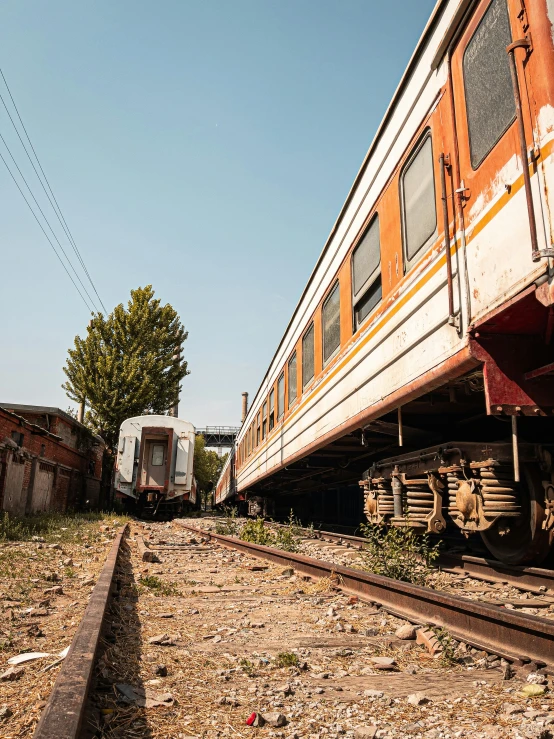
[(128, 364)]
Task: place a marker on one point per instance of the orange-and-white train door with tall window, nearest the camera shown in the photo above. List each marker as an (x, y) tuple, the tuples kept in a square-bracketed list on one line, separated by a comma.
[(491, 173)]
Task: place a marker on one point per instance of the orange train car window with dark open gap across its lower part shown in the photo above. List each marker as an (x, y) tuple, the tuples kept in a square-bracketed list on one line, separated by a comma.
[(367, 289)]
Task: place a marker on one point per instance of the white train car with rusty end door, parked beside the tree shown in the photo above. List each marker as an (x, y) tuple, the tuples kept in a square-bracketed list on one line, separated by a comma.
[(154, 465)]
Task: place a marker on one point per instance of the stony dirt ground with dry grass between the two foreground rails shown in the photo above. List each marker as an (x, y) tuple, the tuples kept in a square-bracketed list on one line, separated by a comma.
[(199, 642)]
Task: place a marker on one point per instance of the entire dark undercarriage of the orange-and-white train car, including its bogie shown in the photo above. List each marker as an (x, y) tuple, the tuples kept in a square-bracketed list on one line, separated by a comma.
[(442, 466)]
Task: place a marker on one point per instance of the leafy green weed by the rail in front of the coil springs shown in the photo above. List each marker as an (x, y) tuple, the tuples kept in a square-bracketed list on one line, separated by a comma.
[(398, 553)]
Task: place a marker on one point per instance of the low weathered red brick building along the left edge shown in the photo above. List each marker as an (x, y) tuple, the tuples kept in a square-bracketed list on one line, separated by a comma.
[(48, 461)]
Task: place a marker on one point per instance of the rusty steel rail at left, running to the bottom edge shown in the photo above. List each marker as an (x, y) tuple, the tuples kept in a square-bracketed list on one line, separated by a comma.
[(62, 717)]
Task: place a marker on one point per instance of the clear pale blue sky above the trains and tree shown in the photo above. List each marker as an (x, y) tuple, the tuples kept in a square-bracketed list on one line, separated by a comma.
[(203, 146)]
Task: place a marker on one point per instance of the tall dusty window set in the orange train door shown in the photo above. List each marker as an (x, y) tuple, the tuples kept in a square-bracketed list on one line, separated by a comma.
[(488, 85)]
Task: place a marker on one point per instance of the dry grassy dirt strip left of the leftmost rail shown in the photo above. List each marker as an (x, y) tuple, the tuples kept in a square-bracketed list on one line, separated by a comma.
[(67, 556)]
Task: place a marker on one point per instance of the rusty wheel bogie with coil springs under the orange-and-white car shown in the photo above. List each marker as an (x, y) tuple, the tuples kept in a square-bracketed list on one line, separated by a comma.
[(472, 486)]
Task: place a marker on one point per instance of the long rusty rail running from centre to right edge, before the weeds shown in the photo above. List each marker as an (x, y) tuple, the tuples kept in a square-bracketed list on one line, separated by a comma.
[(516, 637)]
